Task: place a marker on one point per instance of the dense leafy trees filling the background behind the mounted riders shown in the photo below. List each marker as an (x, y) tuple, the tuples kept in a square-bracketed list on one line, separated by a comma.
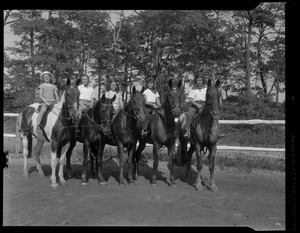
[(170, 43)]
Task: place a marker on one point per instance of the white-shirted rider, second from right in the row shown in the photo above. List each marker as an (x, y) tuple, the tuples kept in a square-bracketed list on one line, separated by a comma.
[(152, 101)]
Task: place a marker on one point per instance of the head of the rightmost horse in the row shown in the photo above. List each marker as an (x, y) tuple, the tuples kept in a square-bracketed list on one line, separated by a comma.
[(213, 98)]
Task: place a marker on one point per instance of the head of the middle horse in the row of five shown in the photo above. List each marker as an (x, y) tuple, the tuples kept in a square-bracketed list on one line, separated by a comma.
[(138, 104)]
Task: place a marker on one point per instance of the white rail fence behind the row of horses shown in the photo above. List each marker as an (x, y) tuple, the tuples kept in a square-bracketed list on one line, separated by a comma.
[(220, 147)]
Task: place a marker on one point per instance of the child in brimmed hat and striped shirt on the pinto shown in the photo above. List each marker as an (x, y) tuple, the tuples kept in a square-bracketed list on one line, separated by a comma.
[(49, 96)]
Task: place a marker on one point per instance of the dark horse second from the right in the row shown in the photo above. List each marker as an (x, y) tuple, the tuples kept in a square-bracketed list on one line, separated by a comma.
[(162, 131)]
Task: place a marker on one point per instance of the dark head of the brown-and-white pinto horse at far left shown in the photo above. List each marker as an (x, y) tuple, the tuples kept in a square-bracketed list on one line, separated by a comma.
[(72, 99)]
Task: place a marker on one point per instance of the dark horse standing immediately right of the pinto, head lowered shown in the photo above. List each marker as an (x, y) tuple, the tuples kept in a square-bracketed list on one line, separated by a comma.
[(94, 125)]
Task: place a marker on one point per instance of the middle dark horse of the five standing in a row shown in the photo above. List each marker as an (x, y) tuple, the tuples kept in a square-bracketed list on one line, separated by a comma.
[(125, 134)]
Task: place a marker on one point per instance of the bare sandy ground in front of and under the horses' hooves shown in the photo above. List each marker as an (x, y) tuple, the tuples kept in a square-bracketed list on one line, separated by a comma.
[(255, 199)]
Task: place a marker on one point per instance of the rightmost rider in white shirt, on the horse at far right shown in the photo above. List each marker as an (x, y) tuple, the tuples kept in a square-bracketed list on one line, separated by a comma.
[(197, 99)]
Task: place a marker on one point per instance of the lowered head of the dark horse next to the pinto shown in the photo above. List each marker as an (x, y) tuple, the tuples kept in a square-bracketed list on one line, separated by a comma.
[(106, 113)]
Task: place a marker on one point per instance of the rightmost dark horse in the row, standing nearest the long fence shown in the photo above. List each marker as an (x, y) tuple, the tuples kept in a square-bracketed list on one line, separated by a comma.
[(204, 134)]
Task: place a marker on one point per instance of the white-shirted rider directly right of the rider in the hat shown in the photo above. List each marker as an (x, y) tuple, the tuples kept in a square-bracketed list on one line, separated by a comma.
[(85, 100)]
